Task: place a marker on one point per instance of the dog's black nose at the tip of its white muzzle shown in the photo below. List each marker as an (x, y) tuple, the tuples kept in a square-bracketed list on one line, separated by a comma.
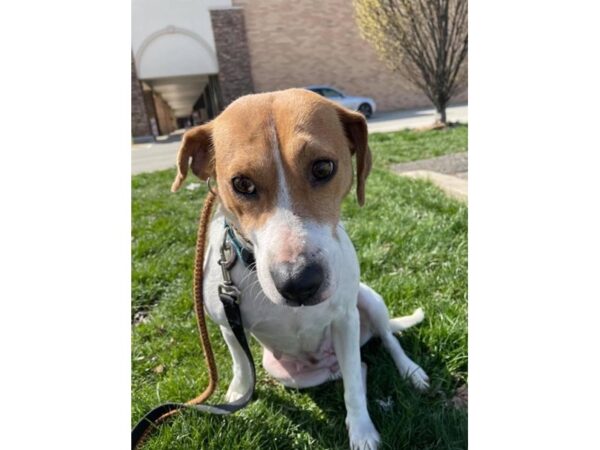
[(298, 283)]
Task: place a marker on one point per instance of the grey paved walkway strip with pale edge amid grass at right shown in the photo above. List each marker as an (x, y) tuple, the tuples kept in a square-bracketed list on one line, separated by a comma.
[(448, 172)]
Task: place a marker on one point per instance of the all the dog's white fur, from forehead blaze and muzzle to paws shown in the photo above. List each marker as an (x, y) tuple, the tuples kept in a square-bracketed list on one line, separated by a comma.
[(350, 315)]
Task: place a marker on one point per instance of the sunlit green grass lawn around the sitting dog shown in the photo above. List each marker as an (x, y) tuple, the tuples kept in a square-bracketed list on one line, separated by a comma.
[(412, 244)]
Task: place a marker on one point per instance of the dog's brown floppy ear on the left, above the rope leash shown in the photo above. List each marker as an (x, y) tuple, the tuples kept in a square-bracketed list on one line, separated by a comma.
[(197, 146)]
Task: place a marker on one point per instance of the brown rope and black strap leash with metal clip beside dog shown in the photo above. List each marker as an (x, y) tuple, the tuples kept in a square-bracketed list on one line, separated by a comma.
[(229, 294)]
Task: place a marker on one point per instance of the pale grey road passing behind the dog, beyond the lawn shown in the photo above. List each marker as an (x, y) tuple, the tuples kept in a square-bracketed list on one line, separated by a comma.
[(161, 155)]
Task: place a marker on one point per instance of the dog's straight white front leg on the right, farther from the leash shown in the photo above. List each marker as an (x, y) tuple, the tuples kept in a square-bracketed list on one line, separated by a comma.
[(346, 342)]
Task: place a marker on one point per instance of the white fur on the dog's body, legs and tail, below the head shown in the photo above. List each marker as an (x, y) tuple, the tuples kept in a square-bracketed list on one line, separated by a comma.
[(351, 315)]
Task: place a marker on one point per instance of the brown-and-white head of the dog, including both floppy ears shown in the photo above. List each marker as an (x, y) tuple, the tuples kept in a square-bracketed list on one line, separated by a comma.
[(283, 164)]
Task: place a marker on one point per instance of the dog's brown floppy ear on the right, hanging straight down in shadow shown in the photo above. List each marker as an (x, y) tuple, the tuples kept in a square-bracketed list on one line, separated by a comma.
[(355, 127)]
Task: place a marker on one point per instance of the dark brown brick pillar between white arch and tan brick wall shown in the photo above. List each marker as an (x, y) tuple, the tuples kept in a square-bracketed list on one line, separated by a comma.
[(235, 76)]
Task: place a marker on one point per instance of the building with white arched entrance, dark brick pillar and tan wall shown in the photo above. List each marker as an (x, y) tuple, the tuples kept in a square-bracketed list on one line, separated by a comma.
[(190, 58)]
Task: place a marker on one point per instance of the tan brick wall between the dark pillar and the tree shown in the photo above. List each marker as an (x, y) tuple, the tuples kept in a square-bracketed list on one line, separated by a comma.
[(297, 43)]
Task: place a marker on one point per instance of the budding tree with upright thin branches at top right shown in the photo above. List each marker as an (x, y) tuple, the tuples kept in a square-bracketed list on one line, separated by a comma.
[(423, 40)]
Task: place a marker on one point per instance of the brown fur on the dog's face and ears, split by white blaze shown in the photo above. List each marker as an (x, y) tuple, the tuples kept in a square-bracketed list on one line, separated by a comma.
[(307, 128)]
